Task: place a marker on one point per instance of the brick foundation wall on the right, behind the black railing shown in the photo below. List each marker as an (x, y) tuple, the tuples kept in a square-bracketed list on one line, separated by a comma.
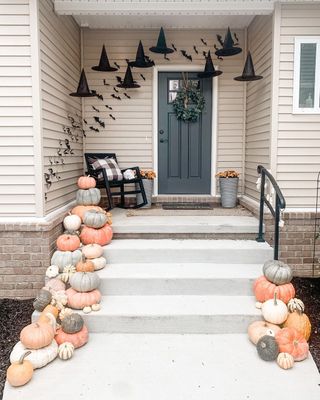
[(297, 240)]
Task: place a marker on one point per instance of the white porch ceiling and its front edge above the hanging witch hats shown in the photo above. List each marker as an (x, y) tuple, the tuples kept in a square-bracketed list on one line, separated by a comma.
[(148, 14)]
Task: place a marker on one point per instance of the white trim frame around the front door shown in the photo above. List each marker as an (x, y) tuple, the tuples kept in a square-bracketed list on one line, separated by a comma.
[(187, 68)]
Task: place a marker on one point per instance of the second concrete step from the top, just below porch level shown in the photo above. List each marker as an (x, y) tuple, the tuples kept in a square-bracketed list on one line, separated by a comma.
[(187, 251)]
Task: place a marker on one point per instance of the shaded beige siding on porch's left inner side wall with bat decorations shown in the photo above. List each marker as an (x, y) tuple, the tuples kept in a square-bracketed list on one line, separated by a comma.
[(60, 71)]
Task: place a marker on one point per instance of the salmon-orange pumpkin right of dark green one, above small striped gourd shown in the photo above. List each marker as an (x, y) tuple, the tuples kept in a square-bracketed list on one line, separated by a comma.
[(291, 341)]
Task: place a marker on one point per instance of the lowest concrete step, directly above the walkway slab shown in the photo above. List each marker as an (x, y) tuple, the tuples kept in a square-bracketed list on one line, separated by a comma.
[(173, 314)]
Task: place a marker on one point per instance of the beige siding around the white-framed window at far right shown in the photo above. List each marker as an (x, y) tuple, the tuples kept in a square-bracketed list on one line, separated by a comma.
[(298, 160)]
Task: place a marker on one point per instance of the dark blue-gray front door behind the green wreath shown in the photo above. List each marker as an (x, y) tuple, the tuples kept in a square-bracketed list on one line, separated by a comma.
[(184, 149)]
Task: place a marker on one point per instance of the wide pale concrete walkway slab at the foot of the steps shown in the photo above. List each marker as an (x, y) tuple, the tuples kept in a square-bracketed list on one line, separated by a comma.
[(167, 367)]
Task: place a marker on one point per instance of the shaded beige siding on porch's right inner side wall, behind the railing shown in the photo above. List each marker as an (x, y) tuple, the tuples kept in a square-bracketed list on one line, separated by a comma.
[(258, 107)]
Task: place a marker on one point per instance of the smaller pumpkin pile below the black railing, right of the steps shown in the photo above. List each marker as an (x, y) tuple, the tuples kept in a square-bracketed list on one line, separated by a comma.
[(284, 333)]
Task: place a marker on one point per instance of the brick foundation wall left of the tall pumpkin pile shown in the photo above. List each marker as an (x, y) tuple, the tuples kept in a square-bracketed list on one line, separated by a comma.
[(26, 250)]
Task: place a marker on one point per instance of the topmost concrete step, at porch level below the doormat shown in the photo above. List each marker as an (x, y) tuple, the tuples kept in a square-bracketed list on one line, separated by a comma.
[(193, 226)]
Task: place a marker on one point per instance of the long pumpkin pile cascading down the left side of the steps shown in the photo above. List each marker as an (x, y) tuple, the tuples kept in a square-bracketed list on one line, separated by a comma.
[(59, 329)]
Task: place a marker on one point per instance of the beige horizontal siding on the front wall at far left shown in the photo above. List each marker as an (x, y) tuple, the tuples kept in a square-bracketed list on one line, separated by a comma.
[(17, 174)]
